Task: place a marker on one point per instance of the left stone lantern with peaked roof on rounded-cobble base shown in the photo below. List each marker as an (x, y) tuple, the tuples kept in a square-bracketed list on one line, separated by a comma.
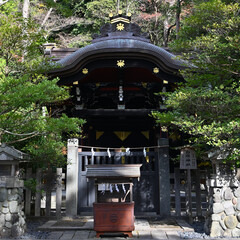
[(12, 218)]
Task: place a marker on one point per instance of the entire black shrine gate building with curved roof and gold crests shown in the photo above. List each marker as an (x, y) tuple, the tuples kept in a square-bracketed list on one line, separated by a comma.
[(113, 83)]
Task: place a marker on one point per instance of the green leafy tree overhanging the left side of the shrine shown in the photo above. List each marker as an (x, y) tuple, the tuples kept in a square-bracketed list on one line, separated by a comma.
[(25, 91)]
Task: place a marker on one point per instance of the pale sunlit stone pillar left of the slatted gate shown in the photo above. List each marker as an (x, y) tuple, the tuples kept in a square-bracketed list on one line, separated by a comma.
[(72, 178)]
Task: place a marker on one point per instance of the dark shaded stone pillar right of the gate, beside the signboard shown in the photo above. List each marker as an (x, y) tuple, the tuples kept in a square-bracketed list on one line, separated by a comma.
[(164, 177)]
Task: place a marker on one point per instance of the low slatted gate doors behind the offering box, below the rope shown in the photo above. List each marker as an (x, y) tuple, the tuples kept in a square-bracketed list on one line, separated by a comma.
[(145, 194)]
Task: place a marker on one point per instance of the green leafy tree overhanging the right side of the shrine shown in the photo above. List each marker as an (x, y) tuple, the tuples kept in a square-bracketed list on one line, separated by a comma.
[(207, 105)]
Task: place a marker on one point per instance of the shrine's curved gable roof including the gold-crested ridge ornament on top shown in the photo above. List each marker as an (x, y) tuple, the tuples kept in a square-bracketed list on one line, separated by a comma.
[(129, 42)]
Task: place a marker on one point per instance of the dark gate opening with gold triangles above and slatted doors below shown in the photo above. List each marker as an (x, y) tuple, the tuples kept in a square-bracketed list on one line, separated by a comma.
[(118, 132)]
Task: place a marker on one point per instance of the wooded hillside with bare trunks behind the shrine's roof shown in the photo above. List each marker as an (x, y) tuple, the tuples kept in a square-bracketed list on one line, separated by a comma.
[(71, 23)]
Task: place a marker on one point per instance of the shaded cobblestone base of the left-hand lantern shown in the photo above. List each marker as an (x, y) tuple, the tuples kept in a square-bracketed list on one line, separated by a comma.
[(12, 218)]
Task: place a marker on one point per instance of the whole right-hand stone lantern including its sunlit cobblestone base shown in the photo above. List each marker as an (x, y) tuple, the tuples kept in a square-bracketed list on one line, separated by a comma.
[(223, 215)]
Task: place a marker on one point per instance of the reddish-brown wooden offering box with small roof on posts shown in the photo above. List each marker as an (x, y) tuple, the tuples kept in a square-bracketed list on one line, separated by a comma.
[(114, 206)]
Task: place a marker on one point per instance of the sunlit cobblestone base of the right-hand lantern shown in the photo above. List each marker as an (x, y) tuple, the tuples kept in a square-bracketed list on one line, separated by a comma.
[(223, 217)]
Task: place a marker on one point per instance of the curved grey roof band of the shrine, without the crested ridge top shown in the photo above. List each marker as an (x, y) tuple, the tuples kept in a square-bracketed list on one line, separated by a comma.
[(122, 45)]
